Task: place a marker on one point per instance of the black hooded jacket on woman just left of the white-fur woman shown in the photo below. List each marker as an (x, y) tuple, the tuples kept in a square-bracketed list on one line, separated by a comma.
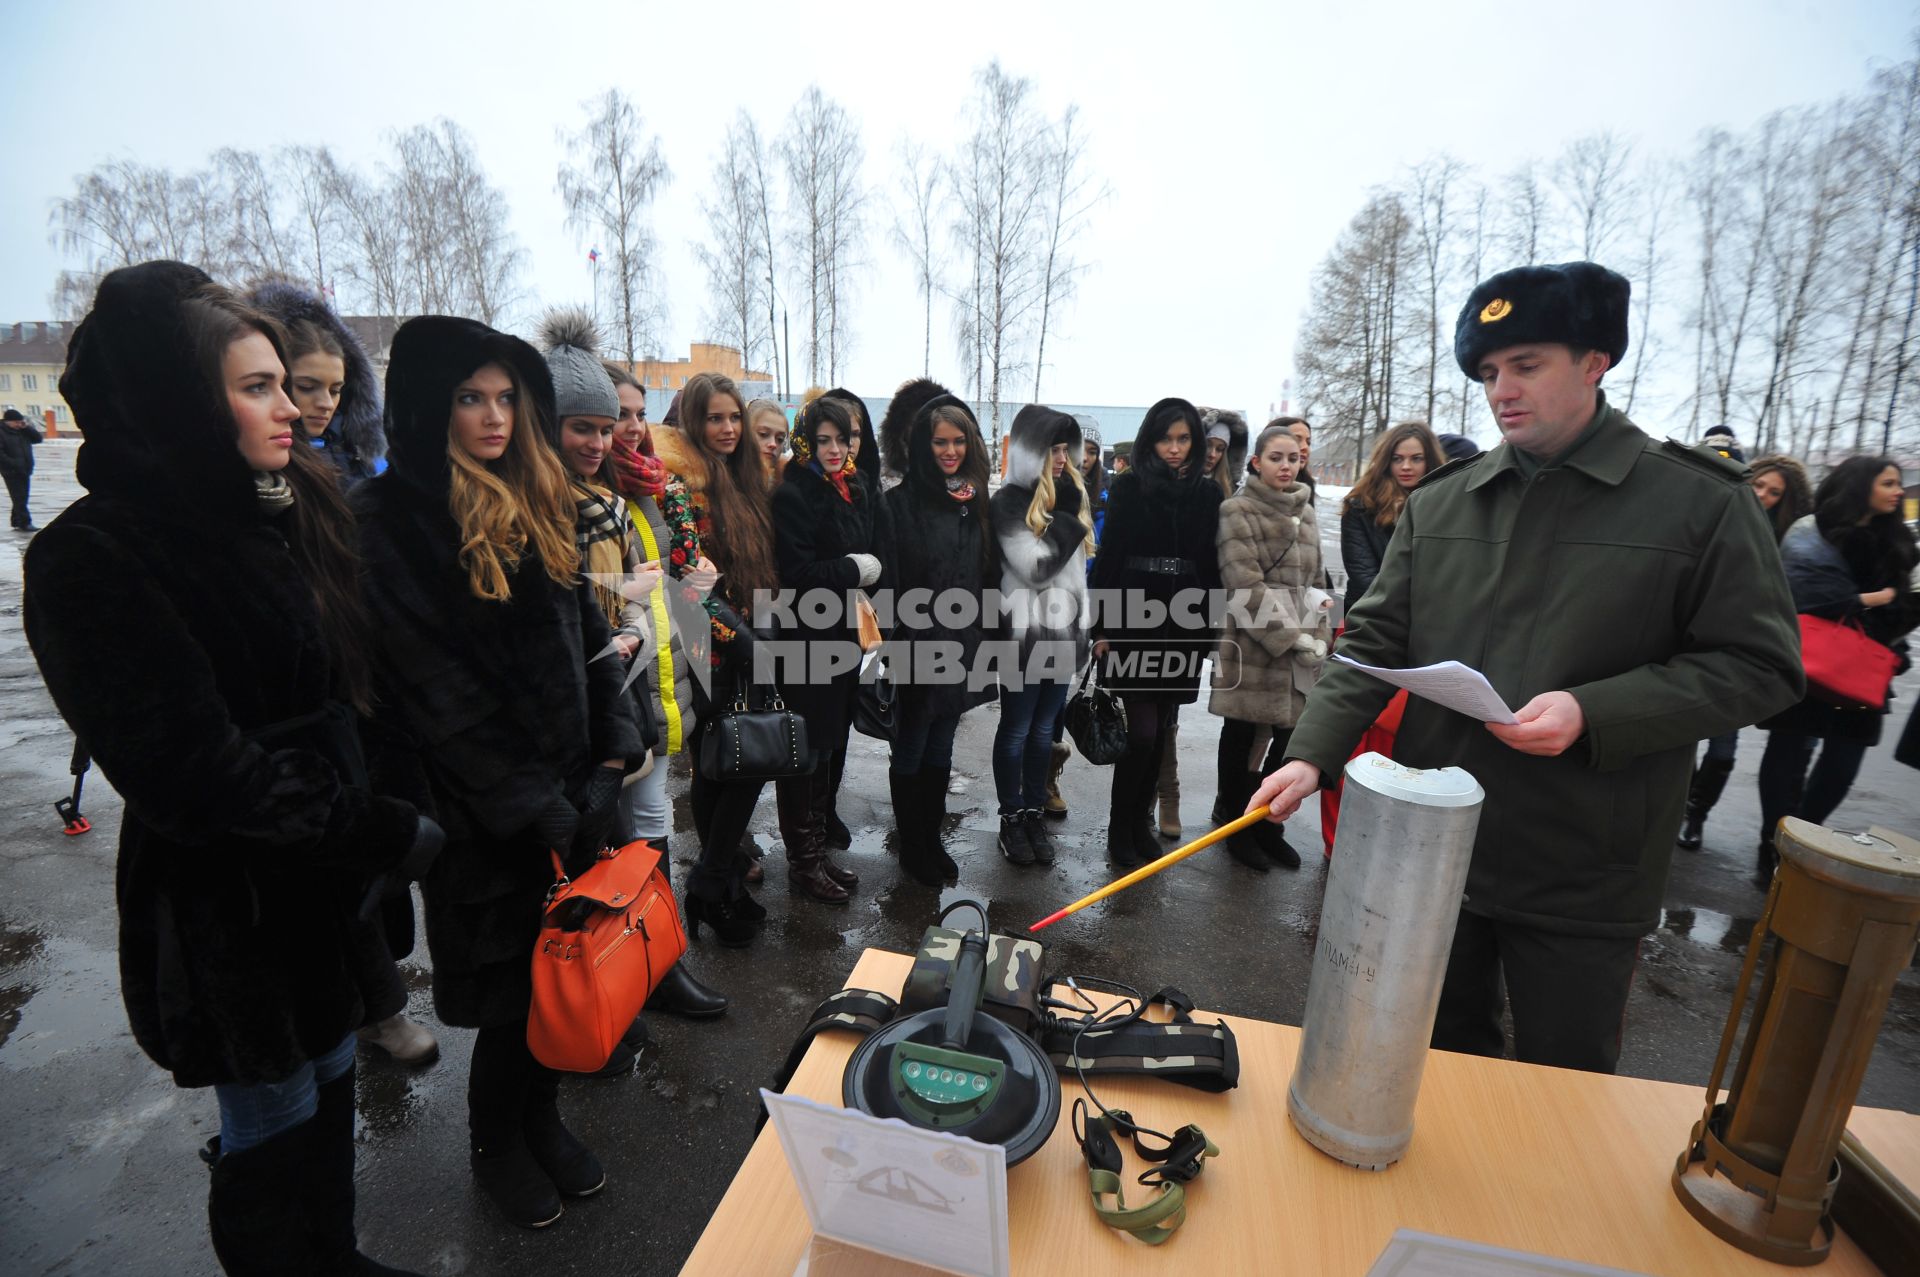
[(938, 544)]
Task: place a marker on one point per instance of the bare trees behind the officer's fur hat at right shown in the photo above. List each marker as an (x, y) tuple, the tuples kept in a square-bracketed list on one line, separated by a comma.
[(1775, 274)]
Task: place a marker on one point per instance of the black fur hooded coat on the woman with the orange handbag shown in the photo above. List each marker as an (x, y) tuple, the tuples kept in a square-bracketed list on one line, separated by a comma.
[(508, 702)]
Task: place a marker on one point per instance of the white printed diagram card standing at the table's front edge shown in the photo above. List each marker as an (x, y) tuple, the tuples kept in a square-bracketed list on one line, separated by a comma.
[(884, 1186)]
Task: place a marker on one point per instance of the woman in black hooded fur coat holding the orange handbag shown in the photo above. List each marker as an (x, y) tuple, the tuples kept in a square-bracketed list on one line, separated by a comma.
[(489, 644)]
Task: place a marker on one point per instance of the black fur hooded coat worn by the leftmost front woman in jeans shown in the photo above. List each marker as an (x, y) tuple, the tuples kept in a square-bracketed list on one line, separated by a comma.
[(241, 865)]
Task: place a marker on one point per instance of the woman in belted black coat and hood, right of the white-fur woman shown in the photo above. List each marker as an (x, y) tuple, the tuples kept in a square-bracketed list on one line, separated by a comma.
[(1159, 552)]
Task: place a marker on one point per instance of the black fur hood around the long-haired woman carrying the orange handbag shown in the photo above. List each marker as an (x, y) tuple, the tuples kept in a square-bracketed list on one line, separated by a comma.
[(435, 354)]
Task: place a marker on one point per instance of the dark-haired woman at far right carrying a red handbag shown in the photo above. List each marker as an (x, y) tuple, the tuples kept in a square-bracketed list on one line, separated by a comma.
[(1852, 560)]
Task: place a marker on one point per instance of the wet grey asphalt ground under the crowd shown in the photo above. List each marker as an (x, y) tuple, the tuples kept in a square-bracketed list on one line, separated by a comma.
[(99, 1169)]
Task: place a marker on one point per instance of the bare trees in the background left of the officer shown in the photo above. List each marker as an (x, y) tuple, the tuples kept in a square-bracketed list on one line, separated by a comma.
[(988, 228)]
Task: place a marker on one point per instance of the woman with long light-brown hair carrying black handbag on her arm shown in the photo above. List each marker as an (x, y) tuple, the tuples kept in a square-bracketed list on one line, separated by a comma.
[(727, 485)]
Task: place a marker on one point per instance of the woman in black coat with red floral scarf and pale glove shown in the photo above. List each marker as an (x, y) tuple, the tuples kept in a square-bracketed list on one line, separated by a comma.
[(825, 539)]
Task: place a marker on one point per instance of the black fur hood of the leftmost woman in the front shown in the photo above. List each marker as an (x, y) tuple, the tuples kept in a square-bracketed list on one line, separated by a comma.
[(158, 431)]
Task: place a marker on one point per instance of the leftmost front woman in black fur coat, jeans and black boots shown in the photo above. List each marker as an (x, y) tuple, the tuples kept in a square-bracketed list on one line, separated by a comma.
[(251, 838)]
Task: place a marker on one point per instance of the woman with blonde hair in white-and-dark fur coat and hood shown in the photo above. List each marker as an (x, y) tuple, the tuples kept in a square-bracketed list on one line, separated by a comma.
[(1044, 537)]
